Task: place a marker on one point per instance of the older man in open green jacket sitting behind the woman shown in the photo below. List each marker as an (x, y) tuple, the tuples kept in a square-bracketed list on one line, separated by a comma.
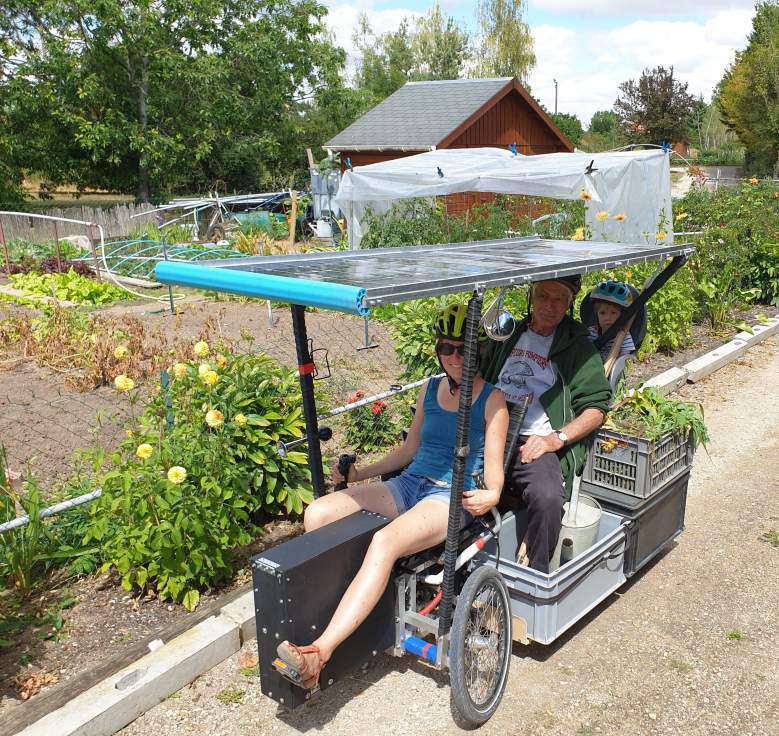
[(550, 357)]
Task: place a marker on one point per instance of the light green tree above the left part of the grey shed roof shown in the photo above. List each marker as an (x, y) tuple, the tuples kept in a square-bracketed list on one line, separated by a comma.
[(436, 48)]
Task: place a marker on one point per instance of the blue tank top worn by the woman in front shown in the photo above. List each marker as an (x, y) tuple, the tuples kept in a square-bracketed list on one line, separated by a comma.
[(435, 455)]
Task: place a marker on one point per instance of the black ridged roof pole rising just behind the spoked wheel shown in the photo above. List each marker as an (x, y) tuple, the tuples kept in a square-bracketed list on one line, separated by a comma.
[(461, 450)]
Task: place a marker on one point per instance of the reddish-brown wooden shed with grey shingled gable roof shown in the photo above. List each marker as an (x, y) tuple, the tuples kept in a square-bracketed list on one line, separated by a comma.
[(460, 113)]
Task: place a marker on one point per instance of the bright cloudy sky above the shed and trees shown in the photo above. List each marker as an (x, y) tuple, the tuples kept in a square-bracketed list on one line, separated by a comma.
[(590, 48)]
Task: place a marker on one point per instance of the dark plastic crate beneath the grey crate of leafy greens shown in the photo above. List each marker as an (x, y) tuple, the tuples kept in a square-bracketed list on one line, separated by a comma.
[(654, 522)]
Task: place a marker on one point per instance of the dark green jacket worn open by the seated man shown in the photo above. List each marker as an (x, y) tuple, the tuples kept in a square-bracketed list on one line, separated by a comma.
[(580, 384)]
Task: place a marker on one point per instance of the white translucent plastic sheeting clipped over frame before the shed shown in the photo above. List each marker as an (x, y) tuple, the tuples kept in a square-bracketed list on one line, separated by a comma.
[(636, 184)]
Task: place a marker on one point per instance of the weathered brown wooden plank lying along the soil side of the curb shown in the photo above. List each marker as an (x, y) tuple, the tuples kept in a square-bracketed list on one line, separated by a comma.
[(56, 696)]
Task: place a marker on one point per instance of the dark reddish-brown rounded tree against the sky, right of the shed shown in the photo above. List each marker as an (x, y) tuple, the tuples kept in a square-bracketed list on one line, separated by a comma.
[(655, 108)]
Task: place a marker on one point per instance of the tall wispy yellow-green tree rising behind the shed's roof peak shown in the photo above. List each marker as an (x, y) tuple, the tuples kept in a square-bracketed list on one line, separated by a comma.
[(506, 48)]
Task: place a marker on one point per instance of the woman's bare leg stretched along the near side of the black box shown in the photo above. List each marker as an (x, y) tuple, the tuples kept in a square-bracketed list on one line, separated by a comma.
[(420, 528)]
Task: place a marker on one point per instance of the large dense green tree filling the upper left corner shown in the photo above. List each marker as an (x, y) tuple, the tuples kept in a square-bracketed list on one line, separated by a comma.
[(149, 97)]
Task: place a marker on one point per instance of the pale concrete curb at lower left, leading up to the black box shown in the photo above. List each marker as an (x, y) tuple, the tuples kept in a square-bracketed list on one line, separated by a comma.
[(121, 698)]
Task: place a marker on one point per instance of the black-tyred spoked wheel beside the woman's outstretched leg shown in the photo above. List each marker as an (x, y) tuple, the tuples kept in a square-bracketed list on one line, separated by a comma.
[(480, 647)]
